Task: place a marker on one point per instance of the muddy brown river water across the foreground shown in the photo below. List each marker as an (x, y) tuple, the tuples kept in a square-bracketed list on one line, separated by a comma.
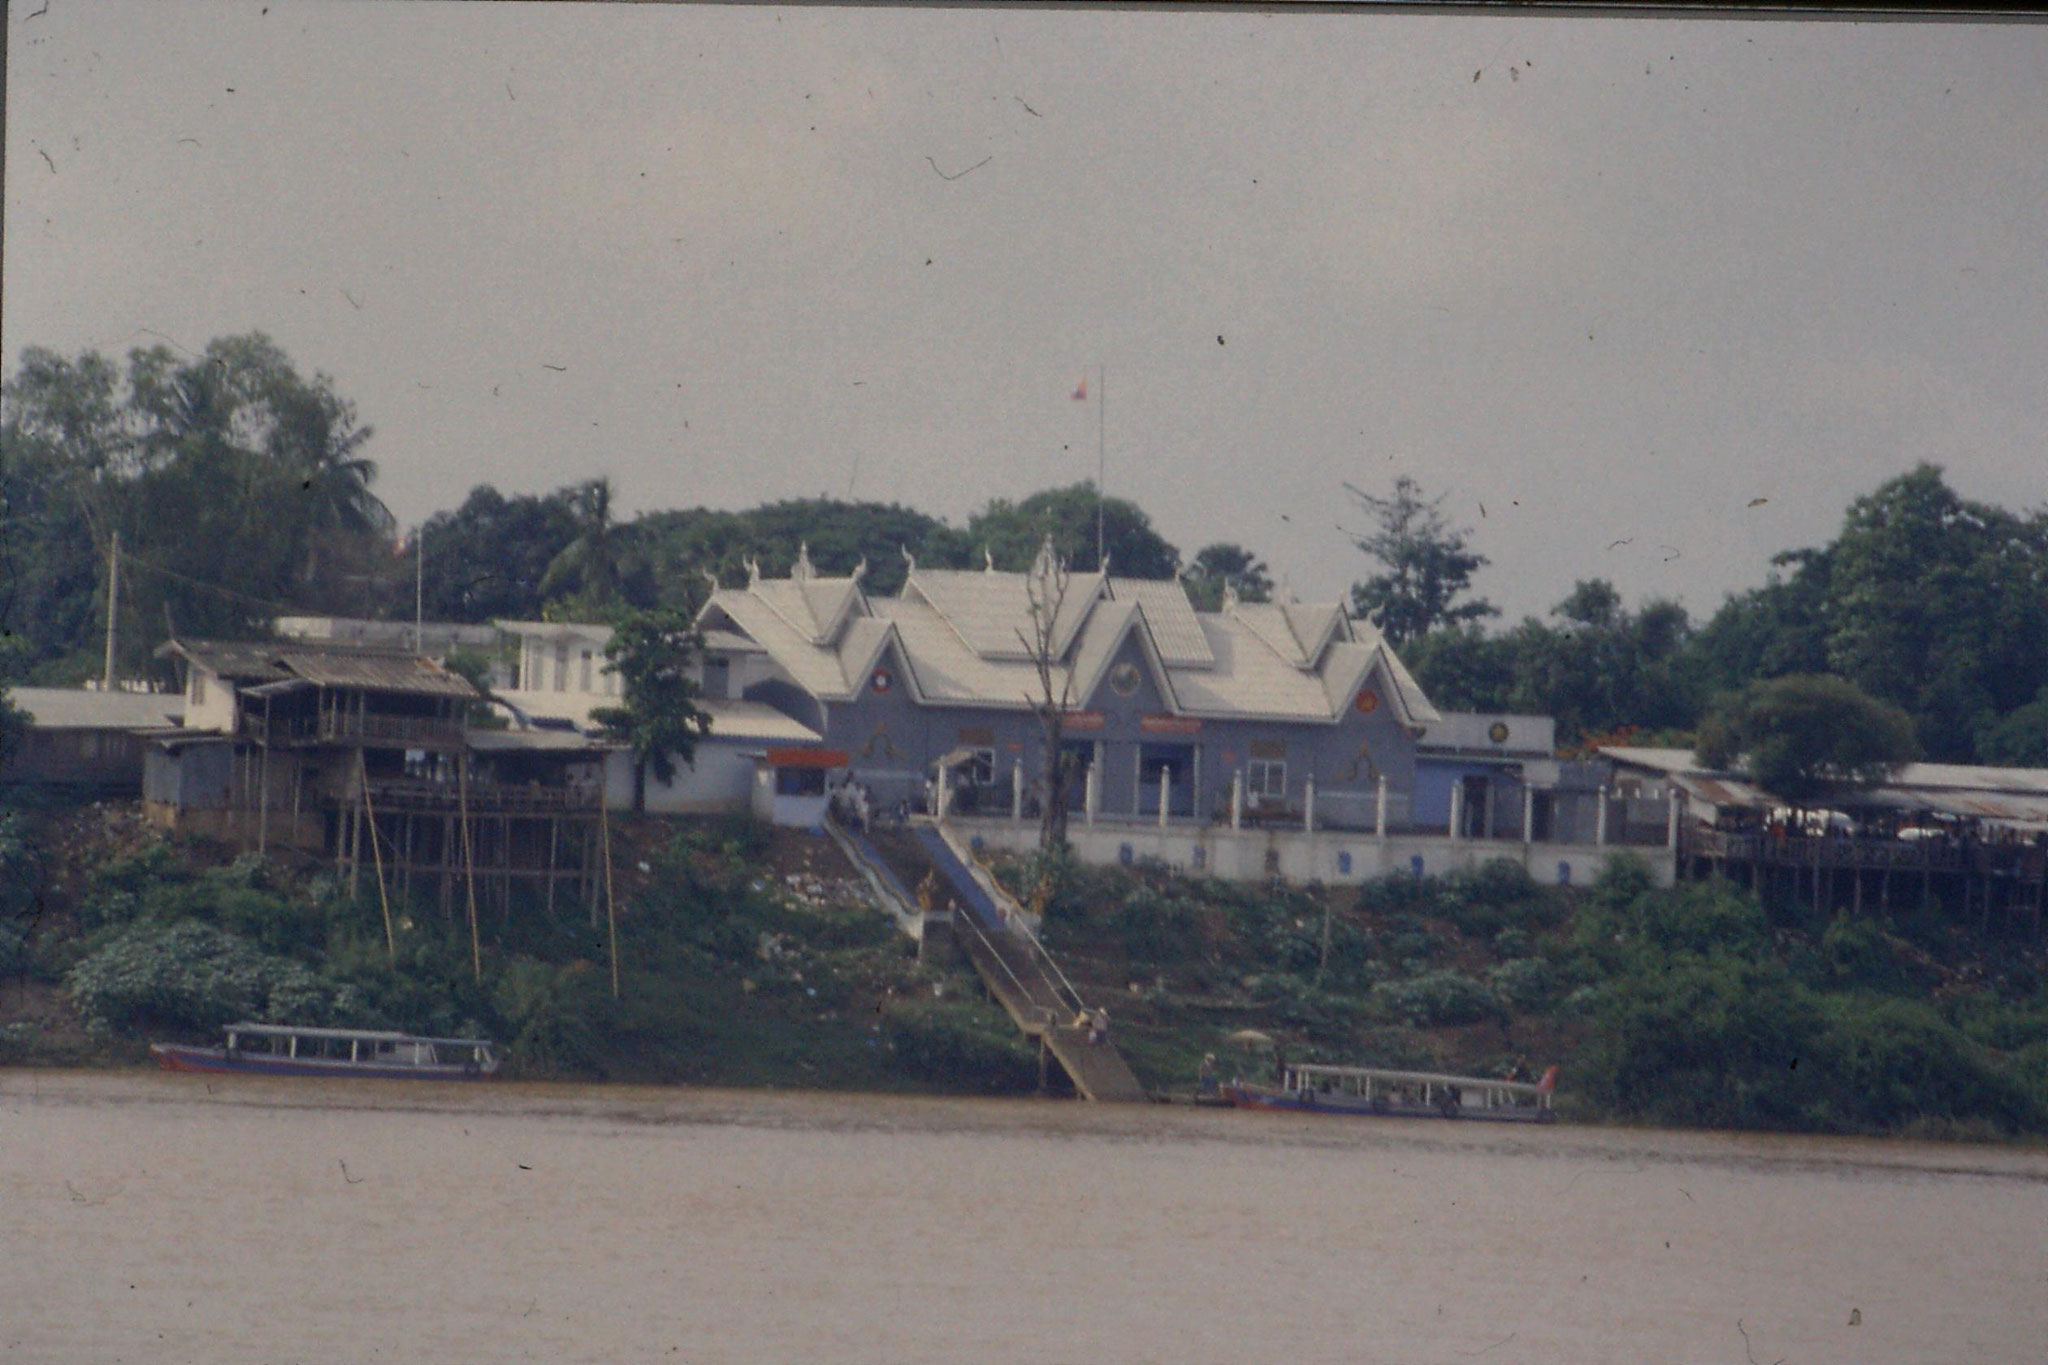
[(189, 1219)]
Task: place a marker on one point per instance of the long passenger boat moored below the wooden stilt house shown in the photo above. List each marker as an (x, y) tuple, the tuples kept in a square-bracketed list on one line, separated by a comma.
[(286, 1051)]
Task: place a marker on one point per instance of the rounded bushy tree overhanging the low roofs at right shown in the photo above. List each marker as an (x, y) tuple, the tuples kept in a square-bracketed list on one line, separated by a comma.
[(1807, 736)]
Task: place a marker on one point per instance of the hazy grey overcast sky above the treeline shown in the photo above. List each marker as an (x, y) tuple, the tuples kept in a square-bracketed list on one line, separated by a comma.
[(1644, 300)]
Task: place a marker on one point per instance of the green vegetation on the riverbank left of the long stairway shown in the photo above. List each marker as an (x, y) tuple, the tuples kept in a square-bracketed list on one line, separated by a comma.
[(728, 973)]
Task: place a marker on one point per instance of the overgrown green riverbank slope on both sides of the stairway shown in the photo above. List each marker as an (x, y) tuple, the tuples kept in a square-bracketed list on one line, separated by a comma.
[(755, 959)]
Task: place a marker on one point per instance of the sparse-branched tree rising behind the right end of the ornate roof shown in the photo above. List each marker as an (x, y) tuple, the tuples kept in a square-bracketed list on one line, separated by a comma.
[(1426, 558)]
